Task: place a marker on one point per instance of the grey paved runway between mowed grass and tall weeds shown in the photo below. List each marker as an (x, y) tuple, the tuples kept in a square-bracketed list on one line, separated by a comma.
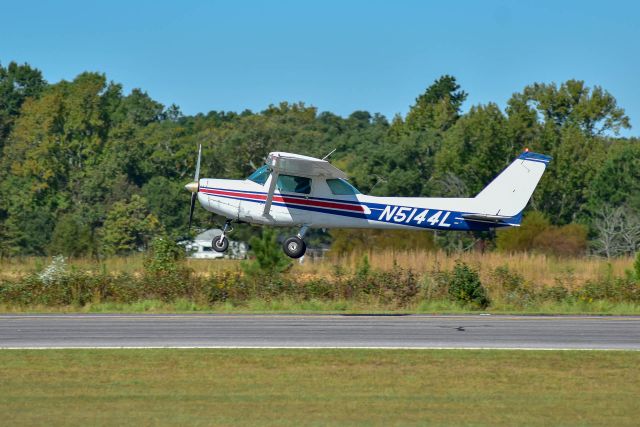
[(416, 331)]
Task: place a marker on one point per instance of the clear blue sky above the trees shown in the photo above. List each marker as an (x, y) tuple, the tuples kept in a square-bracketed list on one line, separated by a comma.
[(339, 56)]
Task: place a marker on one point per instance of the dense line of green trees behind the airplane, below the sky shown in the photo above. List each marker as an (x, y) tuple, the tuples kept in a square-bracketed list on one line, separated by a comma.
[(89, 170)]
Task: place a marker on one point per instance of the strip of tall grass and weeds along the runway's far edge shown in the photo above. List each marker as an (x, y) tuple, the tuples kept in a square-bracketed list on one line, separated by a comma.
[(414, 281)]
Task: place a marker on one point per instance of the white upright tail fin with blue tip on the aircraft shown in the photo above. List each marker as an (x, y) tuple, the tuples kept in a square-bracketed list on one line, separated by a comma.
[(508, 194)]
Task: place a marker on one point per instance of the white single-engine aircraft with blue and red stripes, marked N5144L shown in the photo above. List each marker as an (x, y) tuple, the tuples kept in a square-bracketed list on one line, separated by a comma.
[(295, 190)]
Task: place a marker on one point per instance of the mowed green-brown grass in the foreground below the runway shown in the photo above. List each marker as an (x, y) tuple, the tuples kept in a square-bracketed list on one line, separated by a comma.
[(318, 387)]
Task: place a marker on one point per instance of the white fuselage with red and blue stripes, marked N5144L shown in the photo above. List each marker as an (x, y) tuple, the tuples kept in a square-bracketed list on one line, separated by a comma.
[(320, 207)]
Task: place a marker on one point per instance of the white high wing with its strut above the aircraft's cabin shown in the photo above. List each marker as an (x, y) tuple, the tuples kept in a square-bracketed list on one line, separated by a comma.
[(281, 163)]
